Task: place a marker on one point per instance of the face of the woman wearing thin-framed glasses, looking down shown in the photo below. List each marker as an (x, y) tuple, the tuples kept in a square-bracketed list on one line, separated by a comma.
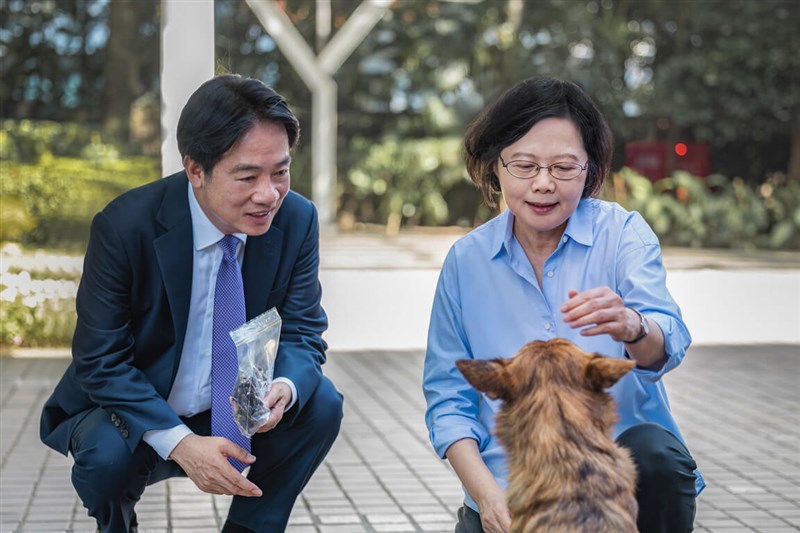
[(542, 205)]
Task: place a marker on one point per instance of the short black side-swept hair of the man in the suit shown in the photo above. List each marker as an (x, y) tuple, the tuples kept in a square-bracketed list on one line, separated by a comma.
[(222, 109)]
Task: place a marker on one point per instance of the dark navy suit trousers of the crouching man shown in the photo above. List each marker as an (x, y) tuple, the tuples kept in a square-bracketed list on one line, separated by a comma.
[(110, 480)]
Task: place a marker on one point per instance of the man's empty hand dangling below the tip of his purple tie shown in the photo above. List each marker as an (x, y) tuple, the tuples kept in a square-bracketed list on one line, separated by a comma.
[(205, 461)]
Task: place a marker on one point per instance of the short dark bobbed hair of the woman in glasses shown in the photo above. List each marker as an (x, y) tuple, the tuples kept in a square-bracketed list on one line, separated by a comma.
[(514, 114)]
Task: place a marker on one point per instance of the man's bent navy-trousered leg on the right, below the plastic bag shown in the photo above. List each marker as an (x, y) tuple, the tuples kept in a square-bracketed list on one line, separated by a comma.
[(286, 457)]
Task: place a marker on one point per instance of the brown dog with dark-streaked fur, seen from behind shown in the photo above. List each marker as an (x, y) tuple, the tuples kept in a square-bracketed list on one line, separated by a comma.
[(565, 472)]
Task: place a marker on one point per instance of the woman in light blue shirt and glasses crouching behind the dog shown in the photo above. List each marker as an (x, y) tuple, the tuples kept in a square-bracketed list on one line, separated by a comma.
[(556, 263)]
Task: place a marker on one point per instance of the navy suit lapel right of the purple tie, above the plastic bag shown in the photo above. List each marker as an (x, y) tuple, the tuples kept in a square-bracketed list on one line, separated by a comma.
[(259, 267)]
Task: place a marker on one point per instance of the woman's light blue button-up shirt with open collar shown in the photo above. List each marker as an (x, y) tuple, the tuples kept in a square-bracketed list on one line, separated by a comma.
[(488, 304)]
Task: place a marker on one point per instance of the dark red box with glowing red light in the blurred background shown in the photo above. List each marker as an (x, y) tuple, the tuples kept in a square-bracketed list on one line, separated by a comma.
[(649, 158)]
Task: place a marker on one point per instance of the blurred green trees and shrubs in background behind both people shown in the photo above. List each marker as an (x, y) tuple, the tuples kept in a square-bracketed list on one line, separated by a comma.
[(727, 74)]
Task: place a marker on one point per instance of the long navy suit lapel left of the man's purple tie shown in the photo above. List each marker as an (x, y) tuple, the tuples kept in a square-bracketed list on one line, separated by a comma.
[(175, 256)]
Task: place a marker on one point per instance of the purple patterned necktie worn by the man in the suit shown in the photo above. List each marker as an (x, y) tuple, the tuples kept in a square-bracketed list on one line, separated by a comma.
[(229, 314)]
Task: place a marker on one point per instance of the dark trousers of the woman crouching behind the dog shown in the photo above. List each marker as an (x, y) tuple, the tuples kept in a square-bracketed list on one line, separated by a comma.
[(665, 490)]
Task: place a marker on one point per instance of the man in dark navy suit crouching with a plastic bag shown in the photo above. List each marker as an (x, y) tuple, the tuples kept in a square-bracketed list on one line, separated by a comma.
[(133, 407)]
